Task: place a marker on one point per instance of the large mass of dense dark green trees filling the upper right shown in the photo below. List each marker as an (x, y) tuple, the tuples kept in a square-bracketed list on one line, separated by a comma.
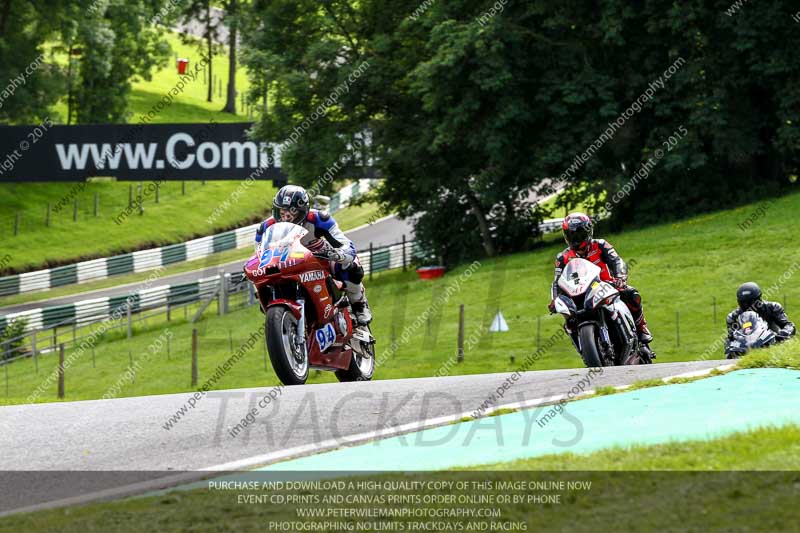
[(470, 105)]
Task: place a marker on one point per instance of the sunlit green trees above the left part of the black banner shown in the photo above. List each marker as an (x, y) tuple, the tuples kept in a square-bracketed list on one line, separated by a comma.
[(106, 44)]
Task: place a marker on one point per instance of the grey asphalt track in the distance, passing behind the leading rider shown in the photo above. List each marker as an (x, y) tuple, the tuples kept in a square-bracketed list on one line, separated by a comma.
[(389, 230)]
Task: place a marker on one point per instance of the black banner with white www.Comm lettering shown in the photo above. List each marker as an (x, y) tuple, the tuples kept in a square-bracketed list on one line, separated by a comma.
[(136, 152)]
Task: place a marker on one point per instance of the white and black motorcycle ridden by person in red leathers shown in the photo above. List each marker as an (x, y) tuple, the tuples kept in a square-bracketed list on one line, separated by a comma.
[(598, 321)]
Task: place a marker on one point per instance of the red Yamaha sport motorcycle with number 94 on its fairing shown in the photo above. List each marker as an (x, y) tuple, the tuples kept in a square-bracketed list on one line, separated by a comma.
[(309, 321)]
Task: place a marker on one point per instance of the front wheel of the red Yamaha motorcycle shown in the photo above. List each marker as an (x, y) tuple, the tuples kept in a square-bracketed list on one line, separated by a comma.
[(288, 361)]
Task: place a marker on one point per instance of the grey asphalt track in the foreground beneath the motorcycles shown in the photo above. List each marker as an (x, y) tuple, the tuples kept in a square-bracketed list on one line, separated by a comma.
[(71, 452)]
